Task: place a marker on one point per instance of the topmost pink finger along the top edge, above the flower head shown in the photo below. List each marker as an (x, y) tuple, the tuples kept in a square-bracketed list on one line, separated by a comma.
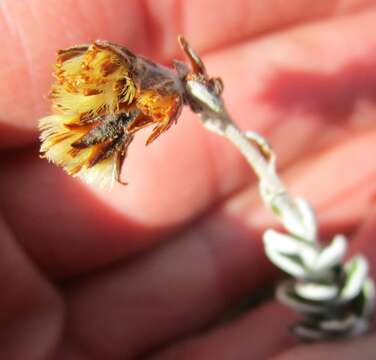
[(31, 33)]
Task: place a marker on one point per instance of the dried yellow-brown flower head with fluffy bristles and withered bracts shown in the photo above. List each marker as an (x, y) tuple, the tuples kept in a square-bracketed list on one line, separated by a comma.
[(103, 94)]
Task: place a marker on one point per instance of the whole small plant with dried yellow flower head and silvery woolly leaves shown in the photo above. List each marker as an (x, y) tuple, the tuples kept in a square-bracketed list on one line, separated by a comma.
[(104, 94)]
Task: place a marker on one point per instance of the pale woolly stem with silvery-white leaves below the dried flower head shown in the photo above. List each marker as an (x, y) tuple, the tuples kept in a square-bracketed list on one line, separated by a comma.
[(321, 283)]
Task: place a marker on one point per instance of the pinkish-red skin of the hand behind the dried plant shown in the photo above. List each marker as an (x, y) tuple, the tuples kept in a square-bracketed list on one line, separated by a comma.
[(148, 269)]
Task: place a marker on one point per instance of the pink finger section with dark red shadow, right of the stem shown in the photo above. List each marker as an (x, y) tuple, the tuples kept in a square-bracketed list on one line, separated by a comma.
[(302, 102)]
